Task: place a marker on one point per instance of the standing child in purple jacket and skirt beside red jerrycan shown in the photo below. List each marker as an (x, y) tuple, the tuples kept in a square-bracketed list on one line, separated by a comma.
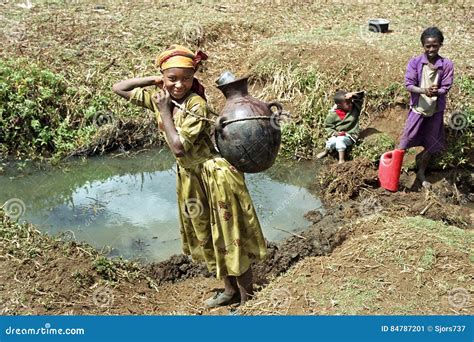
[(428, 79)]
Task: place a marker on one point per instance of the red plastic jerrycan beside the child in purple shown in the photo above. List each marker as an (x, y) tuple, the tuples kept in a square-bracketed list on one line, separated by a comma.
[(389, 169)]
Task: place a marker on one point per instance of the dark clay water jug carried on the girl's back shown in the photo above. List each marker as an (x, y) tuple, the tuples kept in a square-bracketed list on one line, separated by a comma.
[(248, 131)]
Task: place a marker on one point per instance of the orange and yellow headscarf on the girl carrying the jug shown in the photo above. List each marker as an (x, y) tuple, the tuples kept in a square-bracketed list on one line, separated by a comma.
[(177, 56)]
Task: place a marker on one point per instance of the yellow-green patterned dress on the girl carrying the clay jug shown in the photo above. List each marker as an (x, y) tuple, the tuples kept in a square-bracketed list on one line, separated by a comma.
[(219, 224)]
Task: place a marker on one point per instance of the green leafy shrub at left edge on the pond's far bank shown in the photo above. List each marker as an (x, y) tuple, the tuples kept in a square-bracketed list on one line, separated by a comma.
[(36, 118)]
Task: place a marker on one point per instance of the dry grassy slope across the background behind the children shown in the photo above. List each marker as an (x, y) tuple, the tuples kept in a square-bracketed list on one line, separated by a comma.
[(279, 44)]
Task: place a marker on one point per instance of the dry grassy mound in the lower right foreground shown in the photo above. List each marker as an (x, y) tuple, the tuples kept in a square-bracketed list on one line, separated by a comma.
[(386, 266)]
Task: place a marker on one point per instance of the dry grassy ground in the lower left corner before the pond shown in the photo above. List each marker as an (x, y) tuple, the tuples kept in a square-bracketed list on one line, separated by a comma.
[(43, 274)]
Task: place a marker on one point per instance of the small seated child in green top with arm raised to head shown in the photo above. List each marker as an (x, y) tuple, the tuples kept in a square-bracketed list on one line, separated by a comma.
[(342, 123)]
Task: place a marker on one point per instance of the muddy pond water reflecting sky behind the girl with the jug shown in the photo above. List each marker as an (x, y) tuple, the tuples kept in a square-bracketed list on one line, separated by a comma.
[(128, 206)]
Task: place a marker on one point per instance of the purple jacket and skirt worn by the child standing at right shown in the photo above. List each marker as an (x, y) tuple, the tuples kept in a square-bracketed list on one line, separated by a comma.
[(420, 130)]
